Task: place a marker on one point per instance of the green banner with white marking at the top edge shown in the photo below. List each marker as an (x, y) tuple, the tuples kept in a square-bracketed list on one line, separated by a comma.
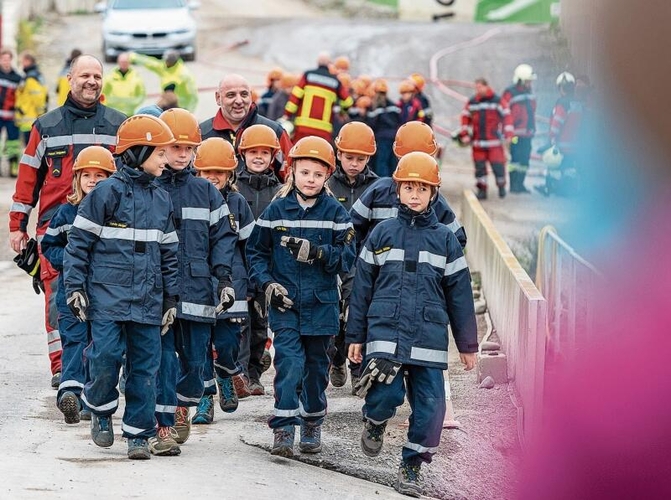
[(517, 11)]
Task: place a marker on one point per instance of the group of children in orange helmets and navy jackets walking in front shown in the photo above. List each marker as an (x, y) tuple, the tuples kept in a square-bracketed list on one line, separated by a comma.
[(183, 246)]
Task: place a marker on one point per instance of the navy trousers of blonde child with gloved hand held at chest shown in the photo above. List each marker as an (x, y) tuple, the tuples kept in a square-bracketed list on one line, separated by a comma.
[(300, 359)]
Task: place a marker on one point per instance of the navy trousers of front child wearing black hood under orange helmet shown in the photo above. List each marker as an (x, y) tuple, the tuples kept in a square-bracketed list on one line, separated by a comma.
[(141, 343)]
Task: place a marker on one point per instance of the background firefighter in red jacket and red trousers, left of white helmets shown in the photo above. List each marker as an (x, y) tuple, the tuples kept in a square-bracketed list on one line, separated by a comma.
[(489, 122)]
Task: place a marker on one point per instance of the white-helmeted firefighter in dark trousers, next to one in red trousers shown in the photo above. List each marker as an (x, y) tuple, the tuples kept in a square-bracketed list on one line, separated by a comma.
[(522, 104)]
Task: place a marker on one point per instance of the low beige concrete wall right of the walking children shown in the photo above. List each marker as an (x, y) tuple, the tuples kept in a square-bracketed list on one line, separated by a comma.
[(517, 308)]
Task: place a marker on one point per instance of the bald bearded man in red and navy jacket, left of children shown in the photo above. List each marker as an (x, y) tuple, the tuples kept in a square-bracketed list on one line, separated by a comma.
[(45, 175)]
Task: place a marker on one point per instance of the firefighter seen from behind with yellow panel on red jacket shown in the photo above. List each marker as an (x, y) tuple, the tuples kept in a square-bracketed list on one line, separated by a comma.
[(312, 101)]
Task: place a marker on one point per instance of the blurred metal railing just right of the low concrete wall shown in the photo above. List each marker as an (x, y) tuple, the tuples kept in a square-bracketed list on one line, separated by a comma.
[(568, 282)]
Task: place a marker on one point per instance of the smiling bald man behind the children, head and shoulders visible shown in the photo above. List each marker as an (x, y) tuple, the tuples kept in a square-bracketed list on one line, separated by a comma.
[(237, 112)]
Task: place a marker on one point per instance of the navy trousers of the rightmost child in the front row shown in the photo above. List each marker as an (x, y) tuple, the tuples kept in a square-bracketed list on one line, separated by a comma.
[(426, 394)]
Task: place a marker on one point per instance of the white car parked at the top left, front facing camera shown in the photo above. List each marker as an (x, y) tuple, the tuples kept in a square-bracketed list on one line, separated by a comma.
[(148, 27)]
